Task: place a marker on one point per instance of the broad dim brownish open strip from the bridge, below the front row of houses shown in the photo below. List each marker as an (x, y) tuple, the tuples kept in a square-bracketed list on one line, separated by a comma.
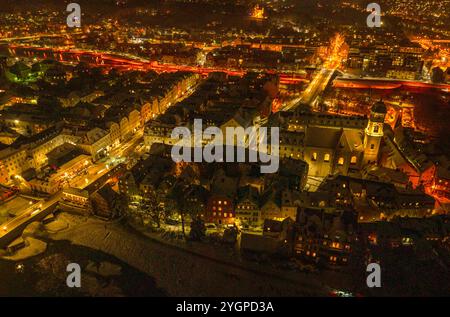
[(186, 271)]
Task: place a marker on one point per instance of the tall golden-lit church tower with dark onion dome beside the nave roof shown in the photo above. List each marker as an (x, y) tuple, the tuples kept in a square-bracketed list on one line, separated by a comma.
[(374, 133)]
